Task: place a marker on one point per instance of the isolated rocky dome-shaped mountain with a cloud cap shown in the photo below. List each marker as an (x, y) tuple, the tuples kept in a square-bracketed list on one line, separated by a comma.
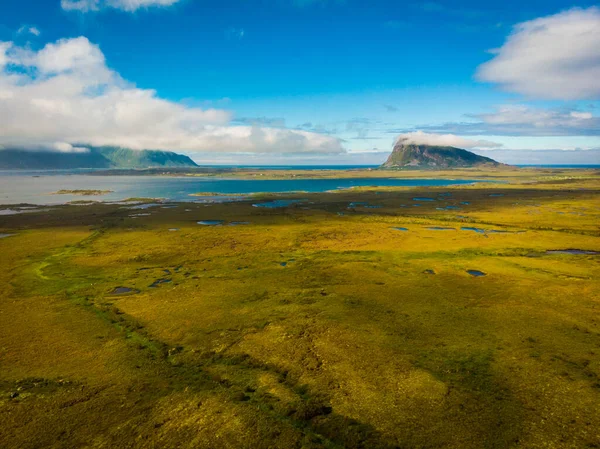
[(412, 155)]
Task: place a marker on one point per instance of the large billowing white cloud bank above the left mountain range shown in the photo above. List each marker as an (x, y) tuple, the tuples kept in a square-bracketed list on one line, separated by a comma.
[(64, 94)]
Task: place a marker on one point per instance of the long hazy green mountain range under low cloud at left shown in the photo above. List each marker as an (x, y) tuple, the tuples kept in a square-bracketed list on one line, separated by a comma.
[(97, 157)]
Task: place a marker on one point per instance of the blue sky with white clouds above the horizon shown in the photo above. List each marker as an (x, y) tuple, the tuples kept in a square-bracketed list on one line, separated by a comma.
[(356, 73)]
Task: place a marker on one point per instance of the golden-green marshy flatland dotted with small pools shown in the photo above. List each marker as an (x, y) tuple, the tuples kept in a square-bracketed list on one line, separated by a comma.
[(314, 325)]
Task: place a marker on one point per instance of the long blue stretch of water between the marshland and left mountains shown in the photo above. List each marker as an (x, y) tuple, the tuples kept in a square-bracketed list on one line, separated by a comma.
[(36, 190)]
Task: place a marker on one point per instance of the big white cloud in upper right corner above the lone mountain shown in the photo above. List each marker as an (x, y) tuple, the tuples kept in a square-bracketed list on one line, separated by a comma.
[(554, 57)]
